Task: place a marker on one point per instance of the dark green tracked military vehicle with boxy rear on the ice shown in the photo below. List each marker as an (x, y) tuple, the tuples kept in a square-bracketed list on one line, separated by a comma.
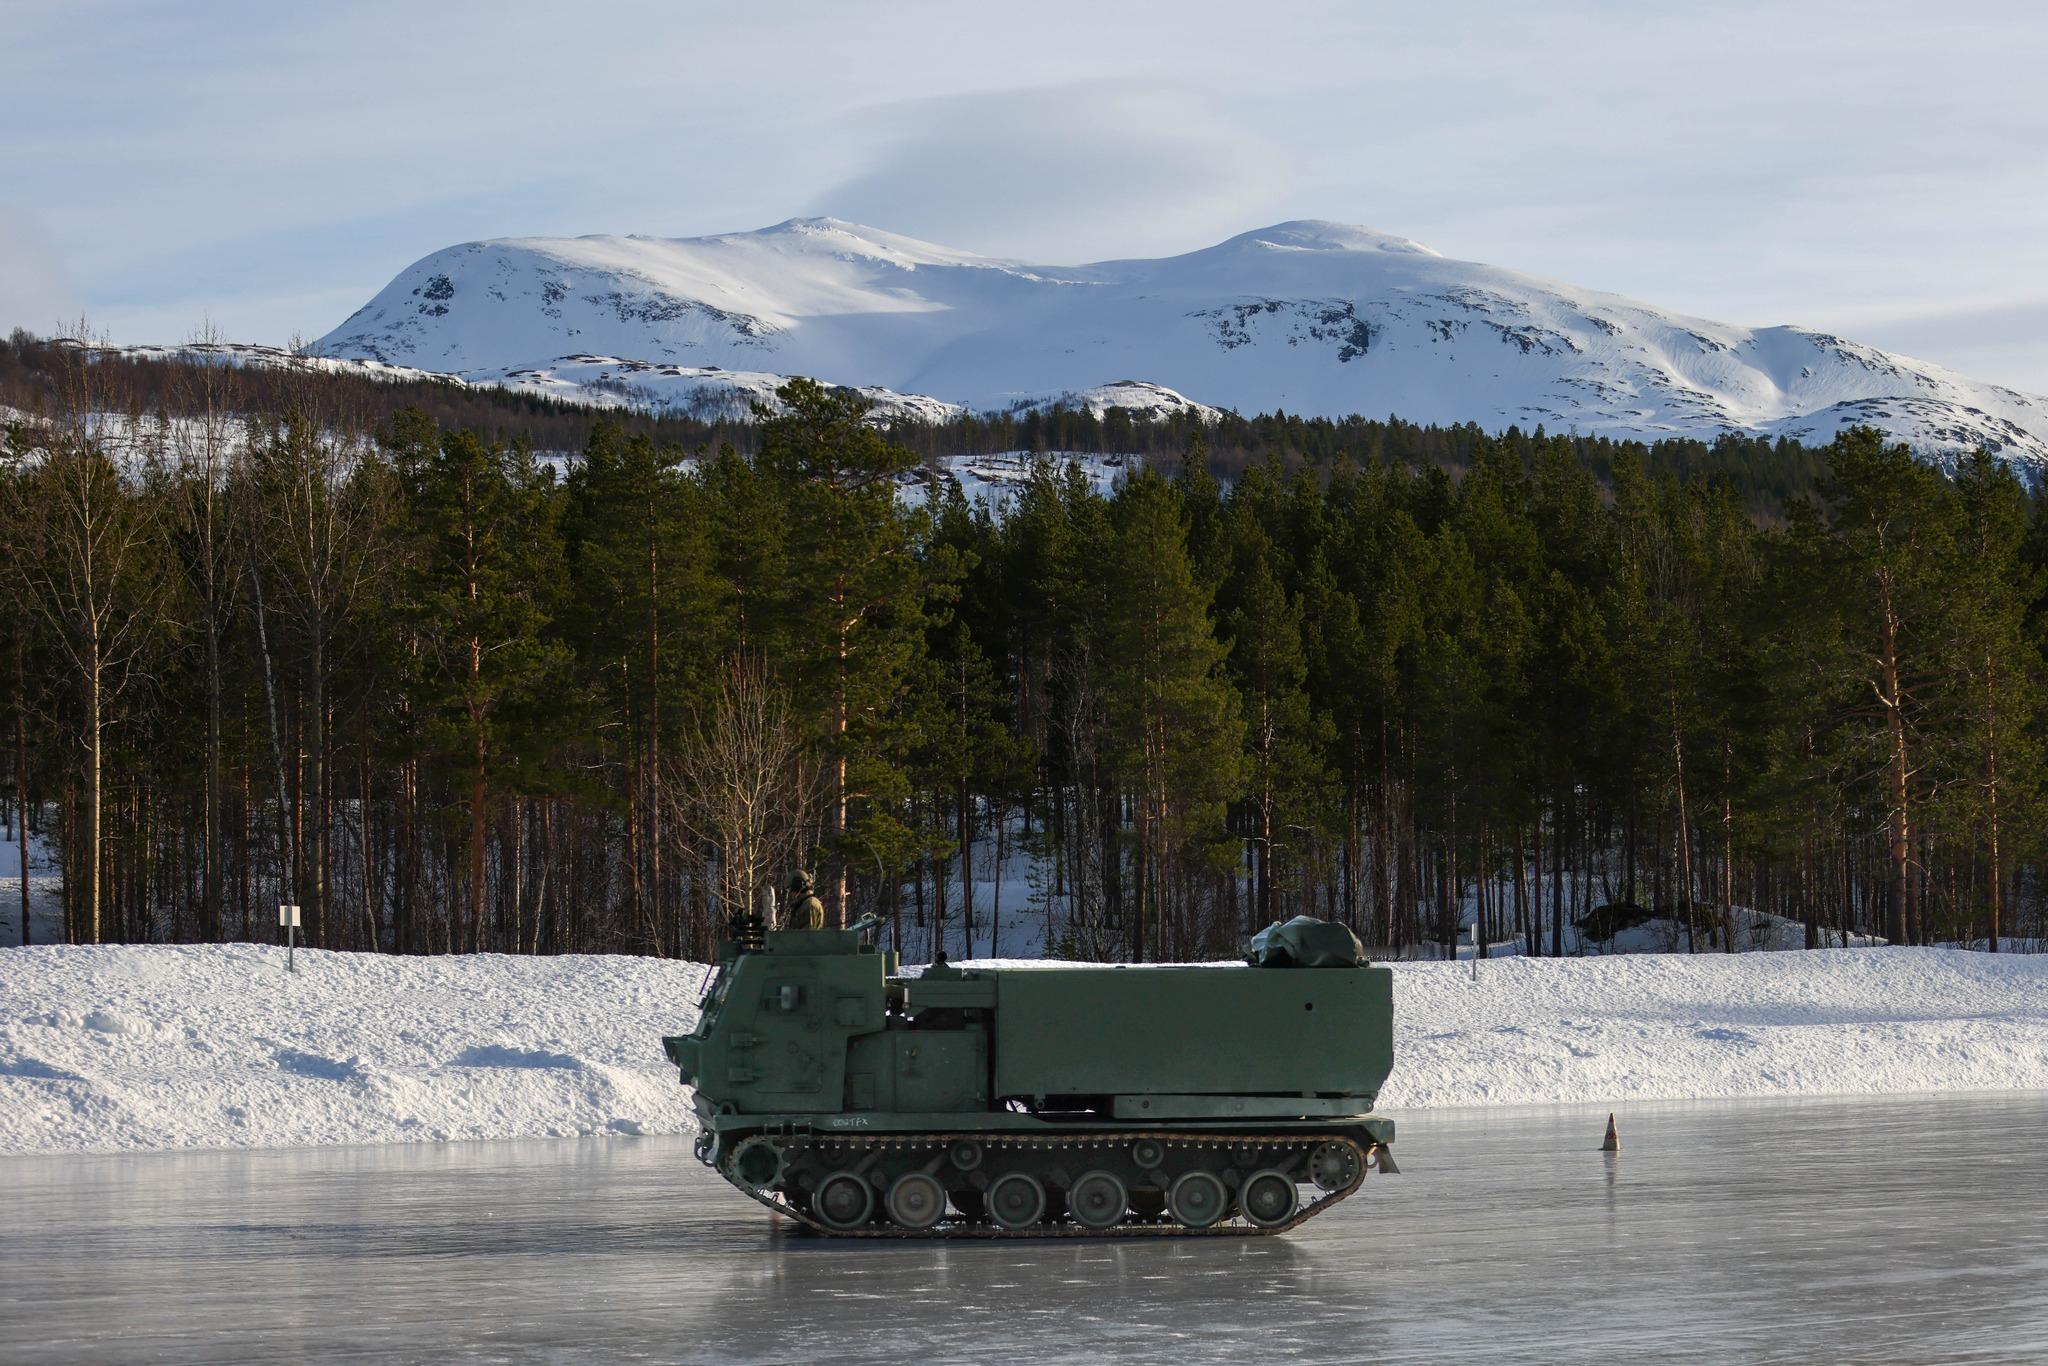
[(1037, 1101)]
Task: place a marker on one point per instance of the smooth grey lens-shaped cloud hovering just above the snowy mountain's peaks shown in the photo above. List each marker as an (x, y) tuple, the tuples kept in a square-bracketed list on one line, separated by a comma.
[(1064, 173)]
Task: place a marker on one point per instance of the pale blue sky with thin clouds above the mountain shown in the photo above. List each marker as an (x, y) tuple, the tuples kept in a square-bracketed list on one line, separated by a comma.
[(1879, 171)]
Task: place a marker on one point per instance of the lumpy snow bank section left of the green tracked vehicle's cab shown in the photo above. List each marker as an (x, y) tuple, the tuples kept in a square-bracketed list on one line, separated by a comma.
[(216, 1048)]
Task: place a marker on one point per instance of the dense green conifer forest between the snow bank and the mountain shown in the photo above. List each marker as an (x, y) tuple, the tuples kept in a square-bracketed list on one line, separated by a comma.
[(476, 673)]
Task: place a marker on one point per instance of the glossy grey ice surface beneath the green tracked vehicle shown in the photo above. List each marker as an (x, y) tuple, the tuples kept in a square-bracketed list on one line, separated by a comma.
[(1906, 1230)]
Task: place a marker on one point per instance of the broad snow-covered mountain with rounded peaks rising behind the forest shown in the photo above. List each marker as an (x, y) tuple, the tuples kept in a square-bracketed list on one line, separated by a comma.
[(1310, 318)]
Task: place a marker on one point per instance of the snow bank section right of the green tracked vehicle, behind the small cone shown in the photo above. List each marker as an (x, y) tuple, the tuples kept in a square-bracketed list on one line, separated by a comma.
[(1676, 1027)]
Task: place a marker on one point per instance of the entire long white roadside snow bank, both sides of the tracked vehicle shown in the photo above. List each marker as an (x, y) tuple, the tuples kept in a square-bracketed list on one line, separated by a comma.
[(218, 1048)]
